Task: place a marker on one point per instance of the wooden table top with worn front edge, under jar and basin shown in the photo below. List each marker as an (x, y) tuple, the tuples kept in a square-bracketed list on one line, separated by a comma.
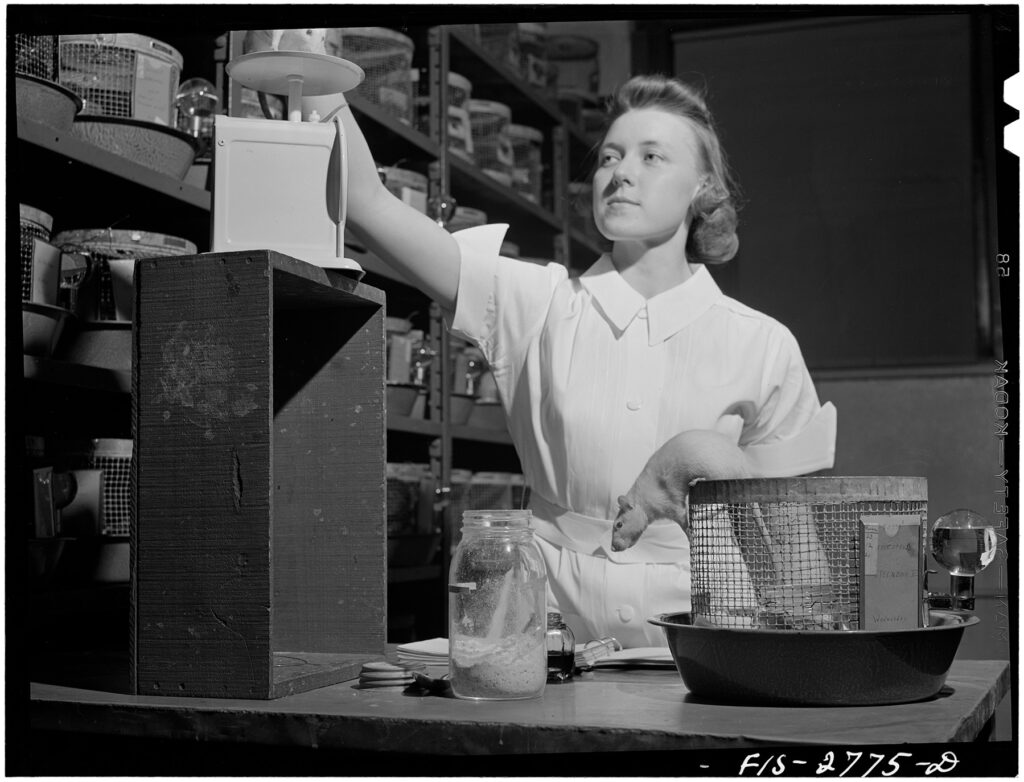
[(620, 710)]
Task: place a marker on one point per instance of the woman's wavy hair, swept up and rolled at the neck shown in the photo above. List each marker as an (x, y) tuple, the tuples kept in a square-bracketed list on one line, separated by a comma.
[(713, 213)]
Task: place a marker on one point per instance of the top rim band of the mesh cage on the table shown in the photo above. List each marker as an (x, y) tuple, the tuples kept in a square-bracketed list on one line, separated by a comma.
[(817, 490)]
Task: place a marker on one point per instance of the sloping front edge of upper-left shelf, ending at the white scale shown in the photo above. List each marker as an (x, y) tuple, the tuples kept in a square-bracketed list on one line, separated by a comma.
[(81, 152)]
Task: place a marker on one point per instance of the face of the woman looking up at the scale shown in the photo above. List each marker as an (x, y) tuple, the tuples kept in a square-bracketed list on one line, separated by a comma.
[(649, 172)]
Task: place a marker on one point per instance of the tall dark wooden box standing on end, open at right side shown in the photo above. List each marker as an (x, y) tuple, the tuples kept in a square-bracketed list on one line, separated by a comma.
[(260, 545)]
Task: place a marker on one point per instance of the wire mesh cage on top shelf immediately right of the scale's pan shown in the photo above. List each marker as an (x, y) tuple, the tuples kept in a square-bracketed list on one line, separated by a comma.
[(386, 57)]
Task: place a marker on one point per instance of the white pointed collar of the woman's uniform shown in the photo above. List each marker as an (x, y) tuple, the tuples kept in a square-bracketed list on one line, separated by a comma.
[(667, 314)]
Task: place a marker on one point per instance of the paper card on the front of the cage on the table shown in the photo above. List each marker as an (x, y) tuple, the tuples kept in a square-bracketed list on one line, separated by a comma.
[(890, 572)]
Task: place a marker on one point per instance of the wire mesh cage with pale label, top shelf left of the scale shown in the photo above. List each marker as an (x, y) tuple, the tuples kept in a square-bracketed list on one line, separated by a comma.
[(122, 75)]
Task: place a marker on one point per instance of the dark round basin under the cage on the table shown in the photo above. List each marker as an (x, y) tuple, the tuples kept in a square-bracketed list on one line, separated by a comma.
[(815, 668)]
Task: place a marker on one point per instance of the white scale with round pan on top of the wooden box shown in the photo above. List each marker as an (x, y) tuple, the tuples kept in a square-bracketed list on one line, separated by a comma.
[(283, 185)]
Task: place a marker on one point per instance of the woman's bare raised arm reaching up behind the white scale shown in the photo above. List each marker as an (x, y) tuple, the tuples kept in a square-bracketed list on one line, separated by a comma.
[(407, 240)]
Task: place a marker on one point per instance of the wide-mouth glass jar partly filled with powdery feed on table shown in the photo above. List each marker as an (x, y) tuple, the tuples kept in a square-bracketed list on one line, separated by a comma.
[(497, 618)]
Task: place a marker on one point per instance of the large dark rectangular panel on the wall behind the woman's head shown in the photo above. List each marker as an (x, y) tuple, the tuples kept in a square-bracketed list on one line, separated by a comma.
[(859, 149)]
